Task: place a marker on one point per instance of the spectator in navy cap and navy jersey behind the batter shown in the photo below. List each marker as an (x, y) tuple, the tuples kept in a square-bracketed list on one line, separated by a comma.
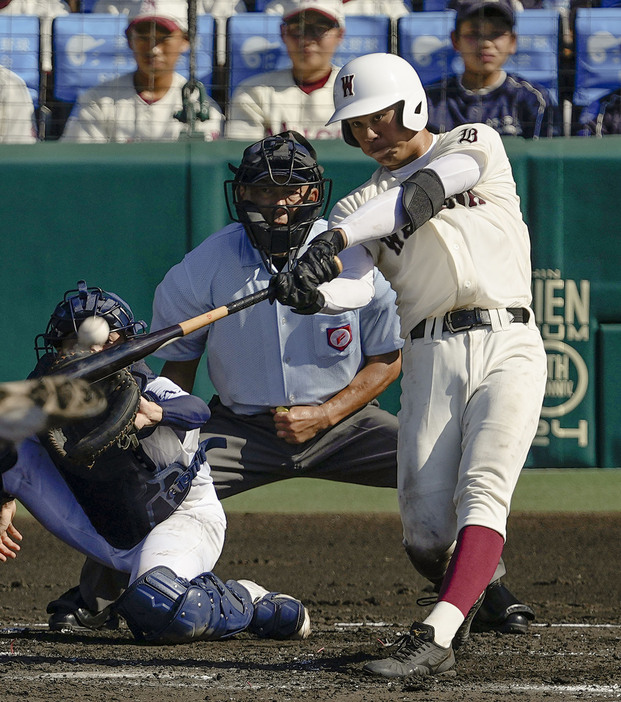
[(485, 37)]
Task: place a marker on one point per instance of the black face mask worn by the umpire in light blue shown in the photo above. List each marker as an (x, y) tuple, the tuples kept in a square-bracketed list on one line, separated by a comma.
[(280, 161)]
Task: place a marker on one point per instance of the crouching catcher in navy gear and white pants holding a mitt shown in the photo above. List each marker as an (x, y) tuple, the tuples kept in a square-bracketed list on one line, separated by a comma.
[(130, 487)]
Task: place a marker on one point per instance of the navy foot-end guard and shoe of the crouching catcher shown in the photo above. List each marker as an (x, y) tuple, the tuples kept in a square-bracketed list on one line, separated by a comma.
[(278, 616)]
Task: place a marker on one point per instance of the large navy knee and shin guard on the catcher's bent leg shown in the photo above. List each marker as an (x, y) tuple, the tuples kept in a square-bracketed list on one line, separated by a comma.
[(160, 607)]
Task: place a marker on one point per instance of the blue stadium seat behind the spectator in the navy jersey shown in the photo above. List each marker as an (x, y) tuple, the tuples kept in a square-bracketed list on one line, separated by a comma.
[(424, 40)]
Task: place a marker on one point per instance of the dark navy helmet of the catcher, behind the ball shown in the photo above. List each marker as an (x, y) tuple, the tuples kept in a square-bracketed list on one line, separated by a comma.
[(79, 304)]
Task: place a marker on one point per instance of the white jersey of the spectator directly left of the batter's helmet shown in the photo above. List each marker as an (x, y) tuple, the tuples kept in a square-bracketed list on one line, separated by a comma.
[(272, 102)]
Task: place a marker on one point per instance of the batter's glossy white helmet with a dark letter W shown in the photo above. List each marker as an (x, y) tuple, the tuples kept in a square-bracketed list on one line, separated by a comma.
[(371, 83)]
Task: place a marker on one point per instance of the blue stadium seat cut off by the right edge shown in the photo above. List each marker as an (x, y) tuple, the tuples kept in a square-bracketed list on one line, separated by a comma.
[(598, 53)]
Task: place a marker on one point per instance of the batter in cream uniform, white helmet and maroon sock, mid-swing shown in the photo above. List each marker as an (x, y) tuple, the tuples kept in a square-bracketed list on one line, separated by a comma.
[(441, 219)]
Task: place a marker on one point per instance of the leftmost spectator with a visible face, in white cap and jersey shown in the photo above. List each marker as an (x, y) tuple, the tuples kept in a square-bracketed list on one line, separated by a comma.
[(141, 106)]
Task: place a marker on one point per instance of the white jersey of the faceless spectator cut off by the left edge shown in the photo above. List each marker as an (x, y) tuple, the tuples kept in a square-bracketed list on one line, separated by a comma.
[(17, 125)]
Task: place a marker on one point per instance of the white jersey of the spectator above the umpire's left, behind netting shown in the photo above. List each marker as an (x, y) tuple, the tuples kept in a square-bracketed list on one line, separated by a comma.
[(114, 112)]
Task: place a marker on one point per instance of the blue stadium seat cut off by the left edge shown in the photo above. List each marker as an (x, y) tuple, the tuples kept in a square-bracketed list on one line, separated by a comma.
[(19, 49)]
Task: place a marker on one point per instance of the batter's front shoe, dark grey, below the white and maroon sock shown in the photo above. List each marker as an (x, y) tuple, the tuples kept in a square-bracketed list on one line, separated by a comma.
[(417, 654)]
